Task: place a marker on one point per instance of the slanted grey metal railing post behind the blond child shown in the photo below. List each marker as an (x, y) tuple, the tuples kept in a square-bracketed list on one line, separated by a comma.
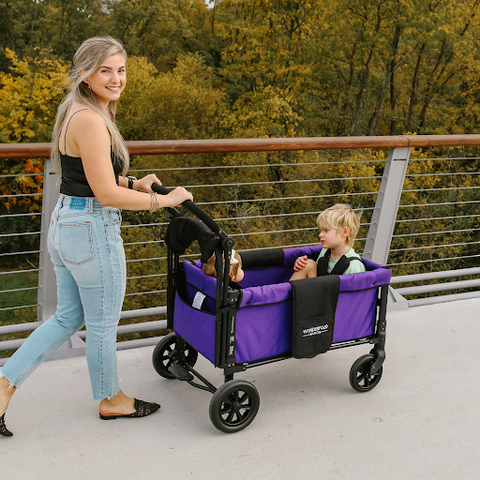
[(382, 225)]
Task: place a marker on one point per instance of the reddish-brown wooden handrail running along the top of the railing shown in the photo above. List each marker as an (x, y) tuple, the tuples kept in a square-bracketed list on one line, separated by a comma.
[(163, 147)]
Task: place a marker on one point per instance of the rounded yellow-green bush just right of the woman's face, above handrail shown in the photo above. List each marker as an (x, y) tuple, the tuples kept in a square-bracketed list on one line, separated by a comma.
[(183, 103)]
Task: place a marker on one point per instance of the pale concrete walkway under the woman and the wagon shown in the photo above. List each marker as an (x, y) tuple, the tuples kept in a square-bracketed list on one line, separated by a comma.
[(421, 422)]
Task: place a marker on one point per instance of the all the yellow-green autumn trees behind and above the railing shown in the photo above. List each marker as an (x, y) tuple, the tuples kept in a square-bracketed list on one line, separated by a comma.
[(262, 69)]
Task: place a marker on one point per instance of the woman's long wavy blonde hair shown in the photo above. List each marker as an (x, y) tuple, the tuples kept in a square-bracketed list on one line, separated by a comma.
[(88, 58)]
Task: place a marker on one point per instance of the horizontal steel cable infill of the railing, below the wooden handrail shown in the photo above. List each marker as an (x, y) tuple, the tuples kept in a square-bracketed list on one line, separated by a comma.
[(242, 208)]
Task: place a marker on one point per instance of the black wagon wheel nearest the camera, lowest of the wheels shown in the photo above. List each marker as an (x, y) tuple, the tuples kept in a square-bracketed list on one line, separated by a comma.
[(234, 406)]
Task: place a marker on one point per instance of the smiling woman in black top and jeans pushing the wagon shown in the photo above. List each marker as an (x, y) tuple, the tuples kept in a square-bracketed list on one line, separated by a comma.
[(84, 238)]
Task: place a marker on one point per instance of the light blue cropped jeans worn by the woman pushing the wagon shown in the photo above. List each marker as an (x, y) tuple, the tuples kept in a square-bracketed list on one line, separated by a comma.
[(86, 248)]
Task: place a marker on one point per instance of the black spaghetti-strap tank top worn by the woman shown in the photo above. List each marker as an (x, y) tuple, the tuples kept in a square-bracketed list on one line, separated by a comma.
[(74, 182)]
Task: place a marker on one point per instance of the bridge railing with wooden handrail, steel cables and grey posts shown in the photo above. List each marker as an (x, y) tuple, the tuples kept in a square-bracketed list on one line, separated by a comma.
[(419, 196)]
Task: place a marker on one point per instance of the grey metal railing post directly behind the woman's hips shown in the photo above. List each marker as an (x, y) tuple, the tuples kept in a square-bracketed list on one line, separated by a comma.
[(47, 286)]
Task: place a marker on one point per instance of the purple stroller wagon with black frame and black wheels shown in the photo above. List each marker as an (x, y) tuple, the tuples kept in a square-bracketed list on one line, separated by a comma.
[(240, 326)]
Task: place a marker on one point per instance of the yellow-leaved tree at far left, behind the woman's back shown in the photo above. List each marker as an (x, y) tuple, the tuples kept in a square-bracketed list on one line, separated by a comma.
[(29, 96)]
